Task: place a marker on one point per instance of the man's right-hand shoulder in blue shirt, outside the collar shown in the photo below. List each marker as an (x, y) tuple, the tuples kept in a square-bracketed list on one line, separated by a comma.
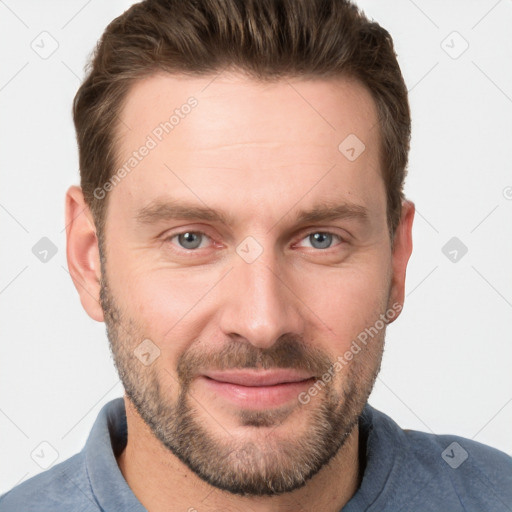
[(445, 468)]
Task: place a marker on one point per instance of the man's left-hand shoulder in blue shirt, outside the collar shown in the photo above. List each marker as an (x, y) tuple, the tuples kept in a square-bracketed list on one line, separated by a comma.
[(63, 487)]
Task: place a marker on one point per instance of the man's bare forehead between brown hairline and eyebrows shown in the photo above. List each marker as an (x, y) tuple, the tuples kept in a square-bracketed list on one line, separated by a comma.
[(243, 136)]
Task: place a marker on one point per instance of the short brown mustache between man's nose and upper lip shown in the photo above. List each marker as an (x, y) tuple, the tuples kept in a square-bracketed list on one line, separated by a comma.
[(289, 352)]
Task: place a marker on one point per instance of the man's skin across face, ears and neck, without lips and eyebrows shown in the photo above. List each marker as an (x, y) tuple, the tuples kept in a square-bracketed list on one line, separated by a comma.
[(259, 153)]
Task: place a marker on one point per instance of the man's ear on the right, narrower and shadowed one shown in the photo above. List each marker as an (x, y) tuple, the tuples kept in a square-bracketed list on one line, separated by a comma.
[(402, 248)]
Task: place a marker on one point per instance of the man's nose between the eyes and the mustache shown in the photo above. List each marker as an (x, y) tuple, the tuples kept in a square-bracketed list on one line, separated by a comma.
[(259, 303)]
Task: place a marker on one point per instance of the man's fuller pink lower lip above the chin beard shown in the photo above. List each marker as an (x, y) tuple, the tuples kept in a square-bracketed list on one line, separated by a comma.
[(257, 397)]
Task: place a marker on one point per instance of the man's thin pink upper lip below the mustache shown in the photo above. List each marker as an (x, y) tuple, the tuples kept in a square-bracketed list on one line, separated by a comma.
[(258, 377)]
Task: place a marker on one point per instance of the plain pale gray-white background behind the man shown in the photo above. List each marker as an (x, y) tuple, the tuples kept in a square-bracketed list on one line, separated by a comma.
[(446, 367)]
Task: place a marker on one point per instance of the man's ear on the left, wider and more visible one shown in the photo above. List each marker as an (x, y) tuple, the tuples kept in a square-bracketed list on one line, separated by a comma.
[(82, 252)]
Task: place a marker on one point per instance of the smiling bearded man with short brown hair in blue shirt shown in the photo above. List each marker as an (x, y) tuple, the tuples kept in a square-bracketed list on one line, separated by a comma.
[(241, 229)]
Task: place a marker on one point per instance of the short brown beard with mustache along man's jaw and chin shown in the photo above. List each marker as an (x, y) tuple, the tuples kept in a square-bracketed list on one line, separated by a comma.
[(258, 463)]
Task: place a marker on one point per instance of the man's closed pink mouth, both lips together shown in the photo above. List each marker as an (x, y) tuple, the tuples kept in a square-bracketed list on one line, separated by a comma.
[(262, 389)]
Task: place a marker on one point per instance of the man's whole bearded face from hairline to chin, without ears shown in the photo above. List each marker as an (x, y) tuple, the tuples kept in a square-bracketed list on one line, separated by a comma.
[(244, 254)]
